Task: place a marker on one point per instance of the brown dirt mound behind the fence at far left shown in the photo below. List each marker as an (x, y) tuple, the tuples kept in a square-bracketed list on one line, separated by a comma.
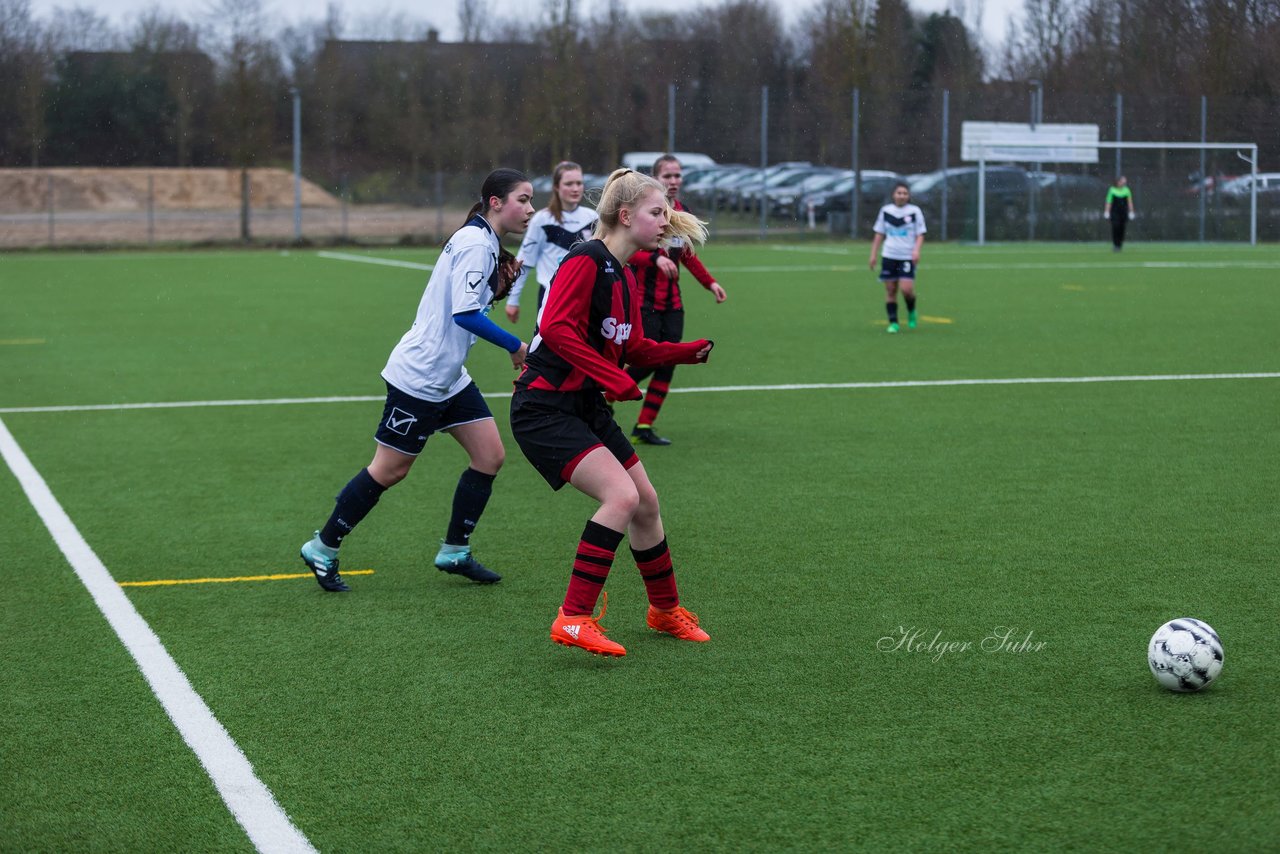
[(26, 191)]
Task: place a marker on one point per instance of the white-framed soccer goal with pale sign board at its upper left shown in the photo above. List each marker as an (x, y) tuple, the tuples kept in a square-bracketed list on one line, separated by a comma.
[(1183, 191)]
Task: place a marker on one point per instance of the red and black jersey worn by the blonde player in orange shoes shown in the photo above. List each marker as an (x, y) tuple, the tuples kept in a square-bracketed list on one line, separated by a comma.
[(591, 327)]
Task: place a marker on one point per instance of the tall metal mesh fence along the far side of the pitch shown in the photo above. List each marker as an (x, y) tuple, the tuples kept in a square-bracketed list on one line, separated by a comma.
[(785, 170)]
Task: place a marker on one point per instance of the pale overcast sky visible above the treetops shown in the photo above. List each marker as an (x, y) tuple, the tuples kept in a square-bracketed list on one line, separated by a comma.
[(444, 13)]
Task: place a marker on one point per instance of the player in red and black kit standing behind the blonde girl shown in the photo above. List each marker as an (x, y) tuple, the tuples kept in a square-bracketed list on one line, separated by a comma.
[(659, 277)]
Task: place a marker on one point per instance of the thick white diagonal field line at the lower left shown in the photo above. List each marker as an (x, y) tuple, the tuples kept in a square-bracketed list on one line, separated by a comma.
[(250, 802)]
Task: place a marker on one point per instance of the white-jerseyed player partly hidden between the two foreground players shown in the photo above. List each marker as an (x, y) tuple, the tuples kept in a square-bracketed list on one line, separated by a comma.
[(552, 234)]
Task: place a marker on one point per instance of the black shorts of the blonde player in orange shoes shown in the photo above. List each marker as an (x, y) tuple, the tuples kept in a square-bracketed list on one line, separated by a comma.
[(556, 430)]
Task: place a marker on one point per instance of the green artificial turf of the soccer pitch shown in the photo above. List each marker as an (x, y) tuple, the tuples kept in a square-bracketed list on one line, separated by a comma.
[(930, 605)]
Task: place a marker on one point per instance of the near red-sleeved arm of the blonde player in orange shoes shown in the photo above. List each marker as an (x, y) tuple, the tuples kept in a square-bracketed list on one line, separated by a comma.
[(564, 328)]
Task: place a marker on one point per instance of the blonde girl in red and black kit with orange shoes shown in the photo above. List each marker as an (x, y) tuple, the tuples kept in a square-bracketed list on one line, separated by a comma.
[(591, 327)]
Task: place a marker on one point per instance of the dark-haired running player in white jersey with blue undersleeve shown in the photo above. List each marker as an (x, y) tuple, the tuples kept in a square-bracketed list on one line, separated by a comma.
[(429, 389)]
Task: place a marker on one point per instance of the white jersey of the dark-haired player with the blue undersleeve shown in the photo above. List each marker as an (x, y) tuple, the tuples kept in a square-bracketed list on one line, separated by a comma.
[(428, 363)]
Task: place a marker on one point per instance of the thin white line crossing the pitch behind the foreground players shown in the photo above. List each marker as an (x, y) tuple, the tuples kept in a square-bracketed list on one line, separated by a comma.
[(703, 390)]
